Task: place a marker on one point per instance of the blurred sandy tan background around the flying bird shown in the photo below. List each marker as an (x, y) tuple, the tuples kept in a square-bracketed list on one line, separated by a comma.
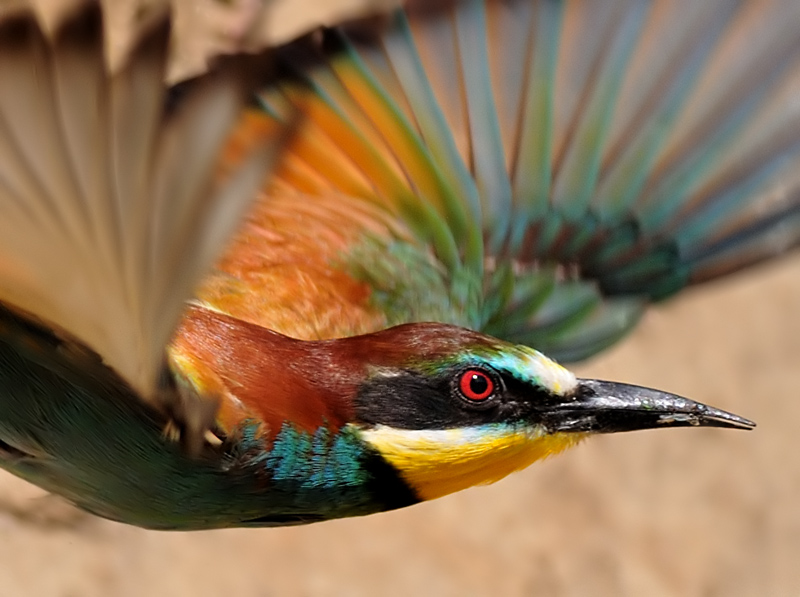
[(677, 512)]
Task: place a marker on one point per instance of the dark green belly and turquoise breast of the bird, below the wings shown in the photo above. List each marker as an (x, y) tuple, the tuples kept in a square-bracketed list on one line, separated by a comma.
[(55, 412)]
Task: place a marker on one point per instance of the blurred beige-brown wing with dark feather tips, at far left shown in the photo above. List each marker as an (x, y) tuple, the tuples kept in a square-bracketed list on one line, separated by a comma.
[(111, 209)]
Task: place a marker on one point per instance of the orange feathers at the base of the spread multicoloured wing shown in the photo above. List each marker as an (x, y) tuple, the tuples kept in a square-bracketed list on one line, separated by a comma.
[(280, 272)]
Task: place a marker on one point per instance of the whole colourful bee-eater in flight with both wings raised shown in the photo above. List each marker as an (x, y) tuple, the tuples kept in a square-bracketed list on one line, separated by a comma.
[(419, 199)]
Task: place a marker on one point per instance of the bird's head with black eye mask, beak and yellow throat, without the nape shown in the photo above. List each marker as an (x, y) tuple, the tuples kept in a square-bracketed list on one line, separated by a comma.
[(449, 408)]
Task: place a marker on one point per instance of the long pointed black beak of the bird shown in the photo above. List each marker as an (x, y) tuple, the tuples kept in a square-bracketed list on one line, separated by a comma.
[(607, 407)]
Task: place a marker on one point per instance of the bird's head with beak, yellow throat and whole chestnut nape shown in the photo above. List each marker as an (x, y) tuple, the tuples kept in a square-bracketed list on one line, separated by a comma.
[(445, 407)]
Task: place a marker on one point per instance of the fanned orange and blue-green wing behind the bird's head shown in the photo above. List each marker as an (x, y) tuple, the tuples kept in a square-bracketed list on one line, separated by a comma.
[(538, 170)]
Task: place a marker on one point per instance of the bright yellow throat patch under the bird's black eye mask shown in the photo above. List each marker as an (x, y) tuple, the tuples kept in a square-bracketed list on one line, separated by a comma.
[(438, 462)]
